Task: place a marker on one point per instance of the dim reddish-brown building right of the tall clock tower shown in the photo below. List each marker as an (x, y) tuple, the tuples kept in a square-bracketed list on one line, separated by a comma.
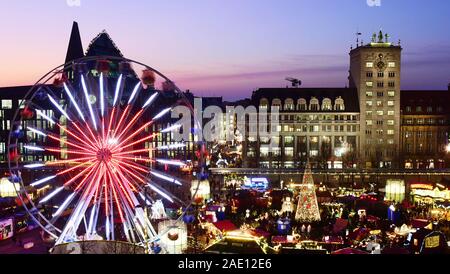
[(425, 129)]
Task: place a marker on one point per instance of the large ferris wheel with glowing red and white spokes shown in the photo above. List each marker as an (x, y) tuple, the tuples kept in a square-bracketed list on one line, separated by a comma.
[(92, 147)]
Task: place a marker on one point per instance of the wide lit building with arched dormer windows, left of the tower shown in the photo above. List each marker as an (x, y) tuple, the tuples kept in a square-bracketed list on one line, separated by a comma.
[(321, 125)]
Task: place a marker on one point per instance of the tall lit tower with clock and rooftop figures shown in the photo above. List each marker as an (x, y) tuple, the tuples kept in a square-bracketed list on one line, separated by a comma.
[(375, 73)]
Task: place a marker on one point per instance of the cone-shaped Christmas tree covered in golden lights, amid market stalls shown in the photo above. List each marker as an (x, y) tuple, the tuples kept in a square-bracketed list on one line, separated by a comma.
[(307, 208)]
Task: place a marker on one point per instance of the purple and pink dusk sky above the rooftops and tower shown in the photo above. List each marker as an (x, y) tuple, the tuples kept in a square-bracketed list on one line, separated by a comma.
[(229, 48)]
